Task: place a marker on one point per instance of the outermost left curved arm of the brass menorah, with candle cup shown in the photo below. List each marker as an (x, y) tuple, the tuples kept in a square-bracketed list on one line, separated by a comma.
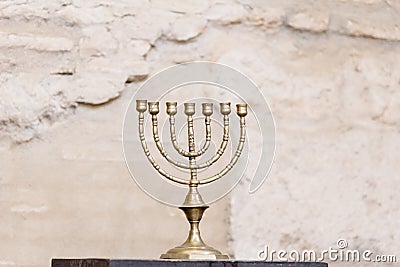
[(141, 111)]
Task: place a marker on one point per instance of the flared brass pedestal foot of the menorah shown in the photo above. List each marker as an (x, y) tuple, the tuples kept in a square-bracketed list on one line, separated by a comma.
[(194, 248)]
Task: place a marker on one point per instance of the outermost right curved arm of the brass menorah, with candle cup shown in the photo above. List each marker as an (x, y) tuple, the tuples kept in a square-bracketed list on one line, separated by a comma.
[(242, 112)]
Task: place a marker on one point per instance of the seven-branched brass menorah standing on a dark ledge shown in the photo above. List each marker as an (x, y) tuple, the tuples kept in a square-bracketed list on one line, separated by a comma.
[(193, 205)]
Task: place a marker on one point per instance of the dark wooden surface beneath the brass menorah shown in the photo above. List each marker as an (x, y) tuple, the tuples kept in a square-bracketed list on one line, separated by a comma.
[(176, 263)]
